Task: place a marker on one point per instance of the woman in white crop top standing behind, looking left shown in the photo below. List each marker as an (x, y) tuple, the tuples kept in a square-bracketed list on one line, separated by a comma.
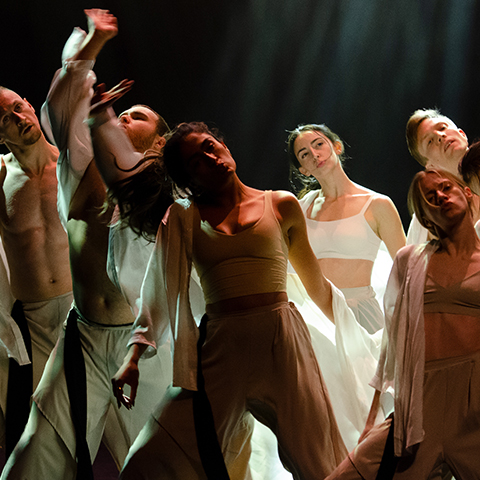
[(316, 155)]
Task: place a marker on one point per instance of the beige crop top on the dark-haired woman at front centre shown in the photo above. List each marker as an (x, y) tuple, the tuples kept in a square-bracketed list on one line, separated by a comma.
[(249, 262)]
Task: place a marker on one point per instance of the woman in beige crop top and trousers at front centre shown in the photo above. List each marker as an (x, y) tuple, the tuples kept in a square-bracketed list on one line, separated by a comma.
[(257, 355)]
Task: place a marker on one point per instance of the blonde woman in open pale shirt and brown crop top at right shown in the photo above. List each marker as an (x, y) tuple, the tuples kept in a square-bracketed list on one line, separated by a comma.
[(431, 350)]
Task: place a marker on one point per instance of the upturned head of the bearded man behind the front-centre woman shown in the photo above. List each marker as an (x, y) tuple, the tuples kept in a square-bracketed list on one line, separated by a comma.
[(145, 127)]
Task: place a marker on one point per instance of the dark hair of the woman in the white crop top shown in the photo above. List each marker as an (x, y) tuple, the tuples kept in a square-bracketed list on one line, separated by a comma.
[(307, 183)]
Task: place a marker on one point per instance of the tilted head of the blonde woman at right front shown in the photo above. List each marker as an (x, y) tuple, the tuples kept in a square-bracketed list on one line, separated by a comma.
[(439, 199)]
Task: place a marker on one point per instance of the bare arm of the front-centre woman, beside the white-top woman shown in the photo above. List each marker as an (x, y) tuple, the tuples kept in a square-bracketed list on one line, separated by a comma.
[(300, 252)]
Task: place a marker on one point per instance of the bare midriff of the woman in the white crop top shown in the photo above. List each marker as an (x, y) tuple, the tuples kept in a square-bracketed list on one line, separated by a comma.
[(346, 272)]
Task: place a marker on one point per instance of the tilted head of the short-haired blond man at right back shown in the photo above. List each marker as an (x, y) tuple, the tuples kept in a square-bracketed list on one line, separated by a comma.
[(434, 140)]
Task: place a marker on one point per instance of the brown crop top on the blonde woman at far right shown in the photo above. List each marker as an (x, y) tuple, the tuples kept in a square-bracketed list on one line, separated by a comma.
[(462, 298)]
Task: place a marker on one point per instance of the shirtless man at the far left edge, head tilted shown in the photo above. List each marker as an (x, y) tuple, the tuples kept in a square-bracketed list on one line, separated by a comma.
[(36, 249)]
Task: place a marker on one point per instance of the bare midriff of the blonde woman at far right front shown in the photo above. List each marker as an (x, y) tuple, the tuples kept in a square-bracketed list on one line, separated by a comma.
[(450, 335)]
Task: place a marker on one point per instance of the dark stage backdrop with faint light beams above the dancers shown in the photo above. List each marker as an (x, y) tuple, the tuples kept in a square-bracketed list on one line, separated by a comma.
[(256, 68)]
